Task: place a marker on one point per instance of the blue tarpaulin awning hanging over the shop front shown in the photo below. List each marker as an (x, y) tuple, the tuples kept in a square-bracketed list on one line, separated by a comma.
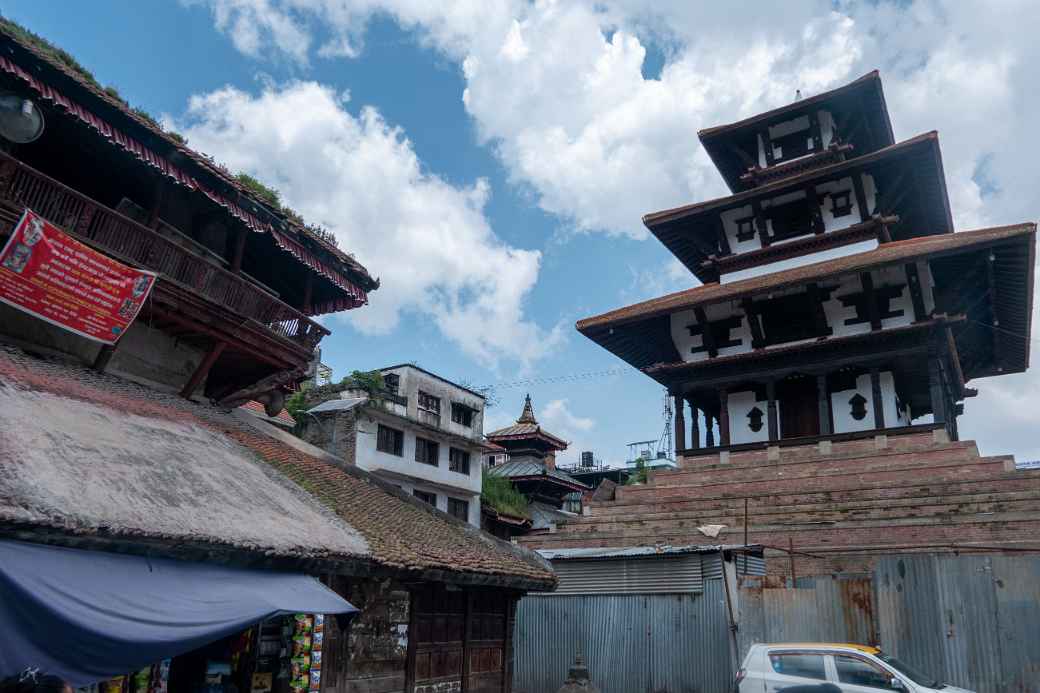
[(88, 617)]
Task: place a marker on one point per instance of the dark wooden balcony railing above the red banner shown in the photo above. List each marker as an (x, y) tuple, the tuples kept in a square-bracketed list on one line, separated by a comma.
[(138, 245)]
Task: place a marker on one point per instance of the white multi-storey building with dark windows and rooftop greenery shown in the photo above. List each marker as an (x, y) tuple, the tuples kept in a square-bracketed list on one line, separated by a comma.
[(423, 433)]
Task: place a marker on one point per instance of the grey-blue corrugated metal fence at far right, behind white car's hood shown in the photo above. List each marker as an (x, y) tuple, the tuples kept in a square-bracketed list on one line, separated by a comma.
[(973, 621)]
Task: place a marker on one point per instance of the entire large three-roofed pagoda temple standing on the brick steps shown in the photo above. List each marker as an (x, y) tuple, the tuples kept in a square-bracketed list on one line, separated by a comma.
[(836, 301)]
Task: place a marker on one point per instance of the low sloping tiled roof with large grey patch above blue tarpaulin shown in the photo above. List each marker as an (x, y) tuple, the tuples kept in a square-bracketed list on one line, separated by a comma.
[(173, 474)]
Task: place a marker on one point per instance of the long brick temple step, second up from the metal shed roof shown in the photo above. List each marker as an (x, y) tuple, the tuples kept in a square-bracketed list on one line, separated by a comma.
[(876, 512)]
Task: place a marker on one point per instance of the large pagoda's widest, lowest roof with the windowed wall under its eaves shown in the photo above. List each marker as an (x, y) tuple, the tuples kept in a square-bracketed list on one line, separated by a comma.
[(985, 276)]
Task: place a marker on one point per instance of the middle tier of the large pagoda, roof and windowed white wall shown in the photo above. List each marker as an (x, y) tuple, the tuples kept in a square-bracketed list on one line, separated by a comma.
[(903, 185)]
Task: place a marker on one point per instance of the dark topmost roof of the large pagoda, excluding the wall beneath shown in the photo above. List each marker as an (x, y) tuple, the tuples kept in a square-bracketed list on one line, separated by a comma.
[(863, 98)]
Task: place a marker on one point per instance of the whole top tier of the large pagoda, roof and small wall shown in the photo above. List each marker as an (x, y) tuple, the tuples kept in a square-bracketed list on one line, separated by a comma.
[(846, 122)]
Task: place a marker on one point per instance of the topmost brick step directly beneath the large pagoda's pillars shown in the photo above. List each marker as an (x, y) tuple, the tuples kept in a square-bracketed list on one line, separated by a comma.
[(847, 450)]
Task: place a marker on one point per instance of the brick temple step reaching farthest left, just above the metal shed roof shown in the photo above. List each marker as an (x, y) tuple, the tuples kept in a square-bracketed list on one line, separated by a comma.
[(1001, 527)]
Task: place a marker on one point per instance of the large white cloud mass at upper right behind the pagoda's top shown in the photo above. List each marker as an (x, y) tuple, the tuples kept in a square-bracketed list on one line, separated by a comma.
[(558, 91)]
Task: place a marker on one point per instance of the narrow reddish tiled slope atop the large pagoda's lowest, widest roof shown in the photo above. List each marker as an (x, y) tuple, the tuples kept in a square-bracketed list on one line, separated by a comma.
[(886, 254)]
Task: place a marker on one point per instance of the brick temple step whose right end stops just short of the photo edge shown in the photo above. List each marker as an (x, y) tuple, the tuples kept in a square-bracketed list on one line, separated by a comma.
[(980, 470)]
